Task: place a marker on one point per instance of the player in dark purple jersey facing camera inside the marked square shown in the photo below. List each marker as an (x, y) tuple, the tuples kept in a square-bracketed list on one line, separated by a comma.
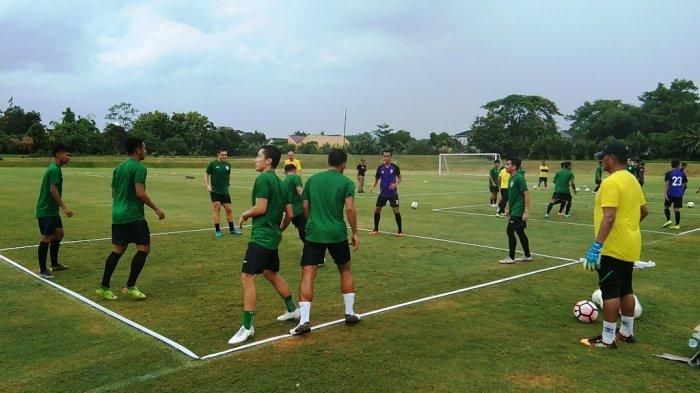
[(390, 176)]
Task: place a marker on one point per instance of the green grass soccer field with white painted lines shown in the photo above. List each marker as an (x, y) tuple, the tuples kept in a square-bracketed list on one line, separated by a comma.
[(439, 312)]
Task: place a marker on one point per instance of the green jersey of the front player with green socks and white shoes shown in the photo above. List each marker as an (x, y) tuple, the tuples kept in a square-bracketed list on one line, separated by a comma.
[(266, 230)]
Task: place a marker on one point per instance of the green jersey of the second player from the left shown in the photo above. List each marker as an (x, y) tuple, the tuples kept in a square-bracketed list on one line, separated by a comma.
[(126, 206)]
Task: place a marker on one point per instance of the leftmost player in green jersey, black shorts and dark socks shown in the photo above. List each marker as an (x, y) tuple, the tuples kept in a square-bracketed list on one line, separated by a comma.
[(50, 225)]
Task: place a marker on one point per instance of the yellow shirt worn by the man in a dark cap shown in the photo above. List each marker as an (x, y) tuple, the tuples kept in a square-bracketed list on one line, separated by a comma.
[(622, 191)]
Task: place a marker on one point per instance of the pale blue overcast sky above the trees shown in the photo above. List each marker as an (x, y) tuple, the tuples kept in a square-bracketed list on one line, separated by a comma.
[(280, 66)]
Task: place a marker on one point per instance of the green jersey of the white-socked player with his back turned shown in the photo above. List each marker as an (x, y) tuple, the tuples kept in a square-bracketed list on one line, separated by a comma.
[(326, 193)]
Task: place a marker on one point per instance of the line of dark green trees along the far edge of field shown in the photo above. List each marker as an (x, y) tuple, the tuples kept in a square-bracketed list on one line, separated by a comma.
[(665, 124)]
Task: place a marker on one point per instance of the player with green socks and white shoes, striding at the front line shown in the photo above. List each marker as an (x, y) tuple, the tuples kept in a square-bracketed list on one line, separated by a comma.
[(271, 211)]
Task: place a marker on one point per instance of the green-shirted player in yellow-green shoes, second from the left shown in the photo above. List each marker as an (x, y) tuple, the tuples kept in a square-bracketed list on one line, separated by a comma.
[(128, 219)]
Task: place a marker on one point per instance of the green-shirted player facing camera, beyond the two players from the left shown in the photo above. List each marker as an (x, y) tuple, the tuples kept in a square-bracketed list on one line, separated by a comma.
[(218, 175)]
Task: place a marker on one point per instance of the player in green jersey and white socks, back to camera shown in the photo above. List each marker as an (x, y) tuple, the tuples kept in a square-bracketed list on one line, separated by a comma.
[(325, 197)]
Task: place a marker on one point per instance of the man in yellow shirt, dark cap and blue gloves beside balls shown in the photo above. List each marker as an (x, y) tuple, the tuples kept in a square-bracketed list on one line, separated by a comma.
[(619, 208)]
